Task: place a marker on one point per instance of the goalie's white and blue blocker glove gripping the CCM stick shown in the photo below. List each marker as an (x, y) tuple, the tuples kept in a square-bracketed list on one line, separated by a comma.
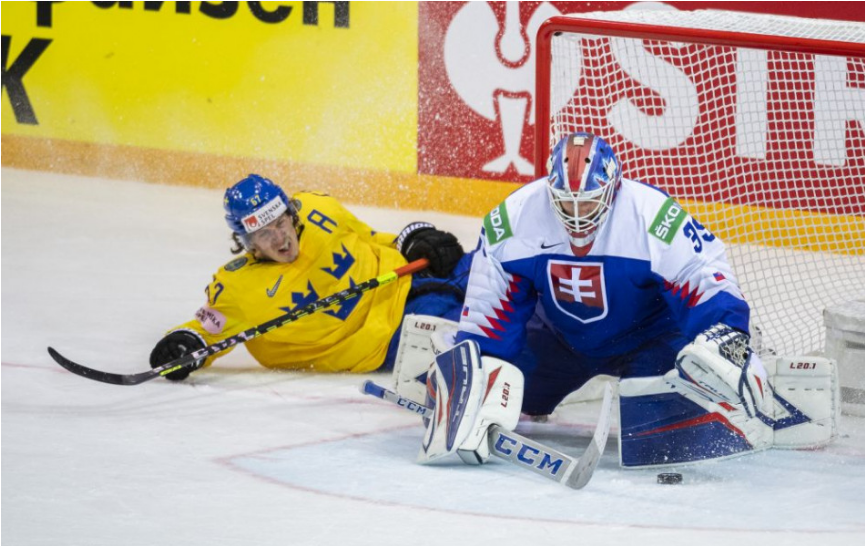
[(468, 394)]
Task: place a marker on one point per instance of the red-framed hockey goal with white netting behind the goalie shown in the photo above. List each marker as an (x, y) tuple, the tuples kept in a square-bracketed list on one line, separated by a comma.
[(755, 123)]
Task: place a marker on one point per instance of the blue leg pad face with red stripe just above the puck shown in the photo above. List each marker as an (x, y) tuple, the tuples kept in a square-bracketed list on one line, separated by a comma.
[(663, 424)]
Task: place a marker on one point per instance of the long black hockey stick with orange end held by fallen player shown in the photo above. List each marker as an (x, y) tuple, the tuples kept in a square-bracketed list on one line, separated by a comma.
[(188, 360)]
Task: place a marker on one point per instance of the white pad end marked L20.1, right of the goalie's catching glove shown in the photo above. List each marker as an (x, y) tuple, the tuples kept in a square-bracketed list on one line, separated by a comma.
[(806, 401)]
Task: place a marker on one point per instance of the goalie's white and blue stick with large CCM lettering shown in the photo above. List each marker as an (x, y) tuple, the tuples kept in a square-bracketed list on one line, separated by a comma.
[(527, 453)]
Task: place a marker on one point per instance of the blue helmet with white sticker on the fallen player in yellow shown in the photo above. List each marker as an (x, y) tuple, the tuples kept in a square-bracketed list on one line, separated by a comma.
[(253, 203)]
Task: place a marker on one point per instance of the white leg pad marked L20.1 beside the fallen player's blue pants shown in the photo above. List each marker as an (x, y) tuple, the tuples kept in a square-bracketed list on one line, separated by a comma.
[(416, 352)]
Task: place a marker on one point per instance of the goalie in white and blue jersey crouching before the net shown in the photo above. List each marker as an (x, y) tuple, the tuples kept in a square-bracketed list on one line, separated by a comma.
[(584, 273)]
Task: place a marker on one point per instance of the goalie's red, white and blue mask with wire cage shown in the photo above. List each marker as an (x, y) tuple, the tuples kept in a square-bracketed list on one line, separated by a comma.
[(584, 178)]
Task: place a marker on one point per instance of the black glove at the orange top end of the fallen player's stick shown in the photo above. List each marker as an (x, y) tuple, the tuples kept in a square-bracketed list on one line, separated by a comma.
[(423, 240)]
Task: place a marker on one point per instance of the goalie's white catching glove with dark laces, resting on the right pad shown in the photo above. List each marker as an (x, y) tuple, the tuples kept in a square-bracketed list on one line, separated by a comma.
[(720, 366)]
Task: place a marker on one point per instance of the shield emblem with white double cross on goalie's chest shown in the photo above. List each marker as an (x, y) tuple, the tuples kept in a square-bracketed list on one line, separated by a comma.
[(578, 289)]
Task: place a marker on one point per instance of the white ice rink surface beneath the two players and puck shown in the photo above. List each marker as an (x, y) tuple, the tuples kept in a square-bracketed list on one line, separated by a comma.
[(241, 455)]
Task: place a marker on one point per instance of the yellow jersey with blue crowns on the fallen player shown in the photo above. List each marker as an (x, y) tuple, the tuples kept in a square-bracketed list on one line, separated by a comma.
[(336, 251)]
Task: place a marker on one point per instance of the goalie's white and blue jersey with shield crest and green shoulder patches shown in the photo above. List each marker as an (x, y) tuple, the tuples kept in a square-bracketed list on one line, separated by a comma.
[(652, 269)]
